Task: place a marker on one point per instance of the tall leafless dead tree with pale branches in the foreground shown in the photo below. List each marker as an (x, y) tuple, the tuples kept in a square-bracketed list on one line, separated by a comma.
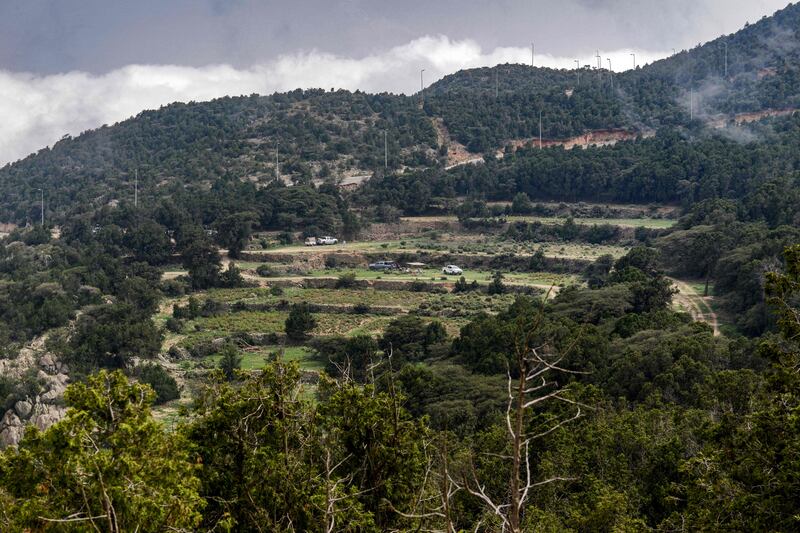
[(531, 384)]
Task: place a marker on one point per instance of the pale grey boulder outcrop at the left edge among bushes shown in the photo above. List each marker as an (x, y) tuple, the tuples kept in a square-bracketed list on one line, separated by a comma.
[(45, 408)]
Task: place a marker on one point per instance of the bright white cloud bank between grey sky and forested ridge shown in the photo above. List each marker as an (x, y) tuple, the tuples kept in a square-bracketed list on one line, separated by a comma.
[(35, 111)]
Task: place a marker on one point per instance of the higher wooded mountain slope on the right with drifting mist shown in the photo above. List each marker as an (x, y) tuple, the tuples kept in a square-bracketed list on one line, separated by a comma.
[(484, 108)]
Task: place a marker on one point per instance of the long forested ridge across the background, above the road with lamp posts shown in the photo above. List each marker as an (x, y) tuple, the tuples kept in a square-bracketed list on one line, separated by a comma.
[(320, 135)]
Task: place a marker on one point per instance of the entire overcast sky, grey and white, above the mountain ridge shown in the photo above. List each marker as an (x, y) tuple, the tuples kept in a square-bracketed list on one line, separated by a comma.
[(70, 65)]
